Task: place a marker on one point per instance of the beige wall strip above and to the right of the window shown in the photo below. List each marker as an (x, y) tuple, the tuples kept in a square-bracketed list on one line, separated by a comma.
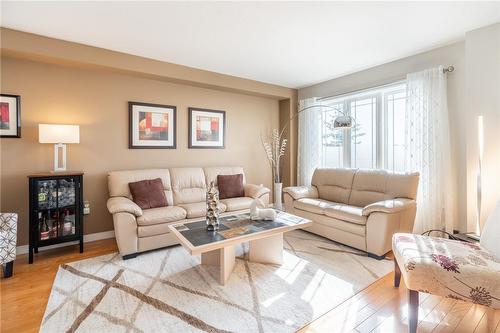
[(453, 54)]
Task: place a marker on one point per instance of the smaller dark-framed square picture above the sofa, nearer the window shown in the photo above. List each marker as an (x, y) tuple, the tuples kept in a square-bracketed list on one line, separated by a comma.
[(207, 128)]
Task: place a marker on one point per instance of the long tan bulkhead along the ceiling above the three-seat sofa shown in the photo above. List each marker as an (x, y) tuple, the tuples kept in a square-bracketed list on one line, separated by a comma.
[(40, 48)]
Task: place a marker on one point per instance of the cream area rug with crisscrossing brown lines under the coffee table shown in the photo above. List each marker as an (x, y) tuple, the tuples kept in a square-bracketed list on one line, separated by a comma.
[(169, 291)]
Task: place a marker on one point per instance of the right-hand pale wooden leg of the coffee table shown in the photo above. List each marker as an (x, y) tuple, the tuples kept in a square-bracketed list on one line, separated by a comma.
[(267, 250)]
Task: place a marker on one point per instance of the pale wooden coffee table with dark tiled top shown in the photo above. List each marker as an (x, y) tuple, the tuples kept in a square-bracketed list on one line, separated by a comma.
[(217, 248)]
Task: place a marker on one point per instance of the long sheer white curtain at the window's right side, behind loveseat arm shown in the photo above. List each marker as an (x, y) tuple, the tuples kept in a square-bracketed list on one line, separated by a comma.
[(428, 148)]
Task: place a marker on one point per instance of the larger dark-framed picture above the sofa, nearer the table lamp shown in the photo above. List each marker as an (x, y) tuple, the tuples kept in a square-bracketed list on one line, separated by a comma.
[(152, 126)]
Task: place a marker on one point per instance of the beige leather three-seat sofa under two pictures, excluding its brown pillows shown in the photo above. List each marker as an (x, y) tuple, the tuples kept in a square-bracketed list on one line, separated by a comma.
[(138, 230)]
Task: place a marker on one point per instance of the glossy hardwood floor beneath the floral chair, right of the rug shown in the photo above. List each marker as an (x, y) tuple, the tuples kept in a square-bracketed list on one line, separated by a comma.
[(383, 308)]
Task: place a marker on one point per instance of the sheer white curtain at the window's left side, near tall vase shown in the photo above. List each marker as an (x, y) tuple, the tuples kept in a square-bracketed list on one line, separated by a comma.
[(309, 145)]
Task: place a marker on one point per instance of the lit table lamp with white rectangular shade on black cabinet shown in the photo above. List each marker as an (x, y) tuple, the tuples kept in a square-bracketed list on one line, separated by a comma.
[(59, 135)]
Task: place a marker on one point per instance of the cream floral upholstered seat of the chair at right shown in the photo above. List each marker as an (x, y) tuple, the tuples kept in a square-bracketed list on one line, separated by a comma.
[(443, 267)]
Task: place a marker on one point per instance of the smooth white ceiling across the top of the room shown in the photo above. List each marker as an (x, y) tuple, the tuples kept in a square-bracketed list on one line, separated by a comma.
[(293, 44)]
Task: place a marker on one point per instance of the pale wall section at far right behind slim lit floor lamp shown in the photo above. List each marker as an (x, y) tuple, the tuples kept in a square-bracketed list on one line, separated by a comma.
[(482, 54)]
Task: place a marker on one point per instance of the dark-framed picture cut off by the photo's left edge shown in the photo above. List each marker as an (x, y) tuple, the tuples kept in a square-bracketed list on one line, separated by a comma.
[(10, 116)]
